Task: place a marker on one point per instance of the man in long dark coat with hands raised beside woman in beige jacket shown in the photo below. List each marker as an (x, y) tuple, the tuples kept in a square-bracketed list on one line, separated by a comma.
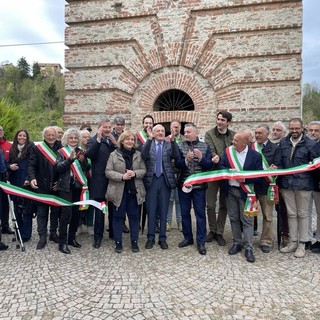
[(98, 150)]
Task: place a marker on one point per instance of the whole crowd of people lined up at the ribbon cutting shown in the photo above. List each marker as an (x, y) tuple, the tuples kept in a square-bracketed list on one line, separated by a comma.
[(142, 174)]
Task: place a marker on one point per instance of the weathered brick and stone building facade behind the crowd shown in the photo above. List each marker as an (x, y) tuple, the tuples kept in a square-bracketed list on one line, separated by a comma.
[(241, 56)]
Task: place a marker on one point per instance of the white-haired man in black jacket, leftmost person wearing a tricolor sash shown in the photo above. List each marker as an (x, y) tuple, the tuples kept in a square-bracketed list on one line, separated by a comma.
[(42, 176)]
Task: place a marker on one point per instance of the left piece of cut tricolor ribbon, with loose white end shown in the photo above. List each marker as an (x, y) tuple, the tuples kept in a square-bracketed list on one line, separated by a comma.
[(47, 198)]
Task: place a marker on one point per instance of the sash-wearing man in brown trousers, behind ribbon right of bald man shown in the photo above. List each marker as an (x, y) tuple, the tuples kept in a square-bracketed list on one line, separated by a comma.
[(271, 158)]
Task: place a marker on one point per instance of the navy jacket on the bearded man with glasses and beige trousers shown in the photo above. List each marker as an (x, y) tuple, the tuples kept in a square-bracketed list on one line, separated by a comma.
[(304, 152)]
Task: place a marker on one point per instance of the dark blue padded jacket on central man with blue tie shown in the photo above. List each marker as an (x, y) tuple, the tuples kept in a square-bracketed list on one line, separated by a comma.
[(170, 151)]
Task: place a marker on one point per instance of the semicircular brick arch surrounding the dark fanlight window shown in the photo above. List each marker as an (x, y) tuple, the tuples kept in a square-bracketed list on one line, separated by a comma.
[(180, 78)]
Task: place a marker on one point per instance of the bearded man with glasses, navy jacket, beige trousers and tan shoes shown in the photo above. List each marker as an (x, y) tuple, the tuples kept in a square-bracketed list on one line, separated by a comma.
[(297, 149)]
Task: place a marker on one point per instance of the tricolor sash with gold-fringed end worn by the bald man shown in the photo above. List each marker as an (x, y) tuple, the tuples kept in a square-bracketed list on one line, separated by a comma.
[(251, 204)]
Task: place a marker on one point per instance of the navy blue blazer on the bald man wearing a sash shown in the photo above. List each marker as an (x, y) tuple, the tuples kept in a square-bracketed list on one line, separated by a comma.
[(253, 162)]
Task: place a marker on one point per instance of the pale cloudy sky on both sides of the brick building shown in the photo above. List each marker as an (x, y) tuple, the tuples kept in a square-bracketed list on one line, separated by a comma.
[(42, 21)]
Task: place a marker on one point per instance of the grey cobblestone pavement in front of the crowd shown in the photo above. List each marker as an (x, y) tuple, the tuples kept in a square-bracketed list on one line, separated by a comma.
[(156, 284)]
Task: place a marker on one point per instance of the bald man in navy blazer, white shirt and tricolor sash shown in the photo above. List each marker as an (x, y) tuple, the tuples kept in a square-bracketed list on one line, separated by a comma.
[(240, 157)]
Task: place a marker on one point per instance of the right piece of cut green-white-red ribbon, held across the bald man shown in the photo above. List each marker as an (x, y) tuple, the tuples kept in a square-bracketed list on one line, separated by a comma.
[(230, 174)]
